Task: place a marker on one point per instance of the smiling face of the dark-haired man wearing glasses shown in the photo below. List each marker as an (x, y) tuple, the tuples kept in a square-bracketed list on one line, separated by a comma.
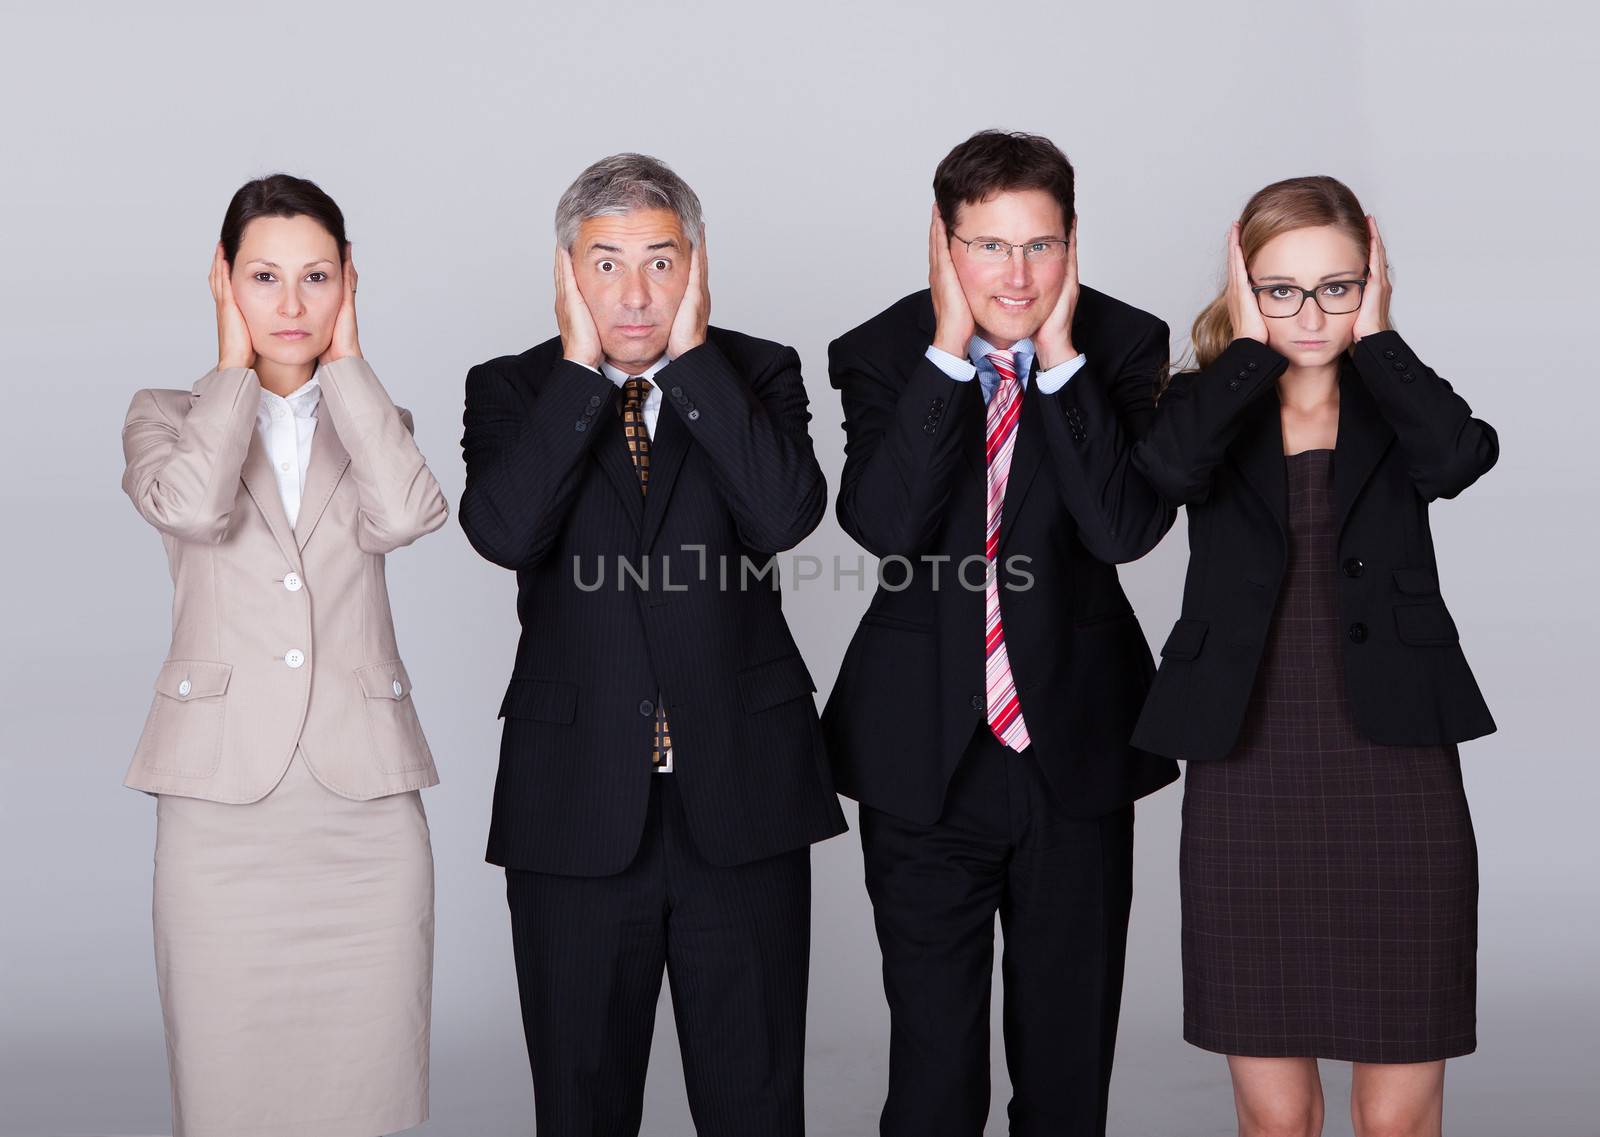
[(1012, 298)]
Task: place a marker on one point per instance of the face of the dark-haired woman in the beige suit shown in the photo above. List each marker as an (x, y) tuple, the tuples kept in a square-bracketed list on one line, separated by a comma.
[(287, 284)]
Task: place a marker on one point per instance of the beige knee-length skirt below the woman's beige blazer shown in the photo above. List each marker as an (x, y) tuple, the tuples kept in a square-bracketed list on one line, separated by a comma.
[(295, 954)]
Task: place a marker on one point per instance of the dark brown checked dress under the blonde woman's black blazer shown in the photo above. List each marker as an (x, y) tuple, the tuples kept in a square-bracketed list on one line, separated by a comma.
[(1329, 884)]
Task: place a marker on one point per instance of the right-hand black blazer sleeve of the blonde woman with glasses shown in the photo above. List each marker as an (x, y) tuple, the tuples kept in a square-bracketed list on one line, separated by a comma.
[(1446, 447)]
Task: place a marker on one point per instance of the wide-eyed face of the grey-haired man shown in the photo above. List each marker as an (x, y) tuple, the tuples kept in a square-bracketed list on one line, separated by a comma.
[(633, 273)]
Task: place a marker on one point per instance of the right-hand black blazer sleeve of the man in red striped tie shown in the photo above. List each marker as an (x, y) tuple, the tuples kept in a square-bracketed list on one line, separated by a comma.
[(1092, 426)]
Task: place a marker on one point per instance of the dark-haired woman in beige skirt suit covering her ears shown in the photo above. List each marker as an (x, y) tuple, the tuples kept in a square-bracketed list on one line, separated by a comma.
[(294, 874)]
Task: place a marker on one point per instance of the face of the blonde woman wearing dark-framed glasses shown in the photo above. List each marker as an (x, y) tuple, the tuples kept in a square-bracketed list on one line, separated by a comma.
[(1311, 258)]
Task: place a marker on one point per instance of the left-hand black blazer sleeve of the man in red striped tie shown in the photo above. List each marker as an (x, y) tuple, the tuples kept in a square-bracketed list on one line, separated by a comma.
[(903, 444)]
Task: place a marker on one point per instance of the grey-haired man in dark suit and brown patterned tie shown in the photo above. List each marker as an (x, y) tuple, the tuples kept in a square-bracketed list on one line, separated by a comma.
[(662, 772)]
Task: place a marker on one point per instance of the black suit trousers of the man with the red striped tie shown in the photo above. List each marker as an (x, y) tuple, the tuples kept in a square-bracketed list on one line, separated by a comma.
[(1063, 888)]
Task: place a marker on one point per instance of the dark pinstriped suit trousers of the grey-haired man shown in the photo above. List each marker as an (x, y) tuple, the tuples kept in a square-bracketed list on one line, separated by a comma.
[(735, 943)]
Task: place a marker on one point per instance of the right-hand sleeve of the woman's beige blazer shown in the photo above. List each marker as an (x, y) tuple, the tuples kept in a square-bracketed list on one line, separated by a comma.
[(399, 498)]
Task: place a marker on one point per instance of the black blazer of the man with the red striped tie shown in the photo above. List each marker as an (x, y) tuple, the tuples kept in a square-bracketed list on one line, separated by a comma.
[(911, 690)]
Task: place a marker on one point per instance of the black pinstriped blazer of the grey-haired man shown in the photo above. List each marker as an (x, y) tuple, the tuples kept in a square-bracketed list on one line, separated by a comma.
[(553, 495)]
